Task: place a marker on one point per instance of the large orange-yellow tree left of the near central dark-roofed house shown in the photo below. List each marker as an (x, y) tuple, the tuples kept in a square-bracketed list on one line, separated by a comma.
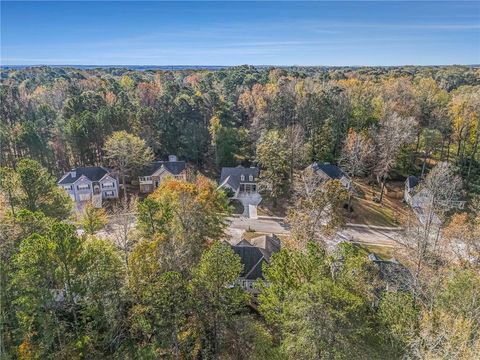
[(185, 216)]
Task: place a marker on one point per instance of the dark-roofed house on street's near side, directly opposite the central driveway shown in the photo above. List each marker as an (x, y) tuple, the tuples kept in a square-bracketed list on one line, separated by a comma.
[(253, 254)]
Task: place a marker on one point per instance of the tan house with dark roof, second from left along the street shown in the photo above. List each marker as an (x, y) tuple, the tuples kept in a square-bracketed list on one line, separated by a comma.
[(152, 175)]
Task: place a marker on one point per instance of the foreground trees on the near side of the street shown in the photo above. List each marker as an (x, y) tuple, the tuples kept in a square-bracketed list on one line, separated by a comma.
[(165, 287)]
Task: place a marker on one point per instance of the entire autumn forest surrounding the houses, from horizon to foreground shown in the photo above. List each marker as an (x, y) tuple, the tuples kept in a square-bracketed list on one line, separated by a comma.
[(166, 289)]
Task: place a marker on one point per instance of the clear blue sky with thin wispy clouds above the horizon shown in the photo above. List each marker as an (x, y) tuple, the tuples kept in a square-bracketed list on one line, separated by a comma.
[(232, 33)]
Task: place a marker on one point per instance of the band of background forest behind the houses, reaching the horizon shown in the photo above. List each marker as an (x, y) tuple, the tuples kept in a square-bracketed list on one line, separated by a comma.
[(63, 116)]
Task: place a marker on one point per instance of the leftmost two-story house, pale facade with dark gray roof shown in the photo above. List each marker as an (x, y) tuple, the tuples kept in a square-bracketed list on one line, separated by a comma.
[(91, 183)]
